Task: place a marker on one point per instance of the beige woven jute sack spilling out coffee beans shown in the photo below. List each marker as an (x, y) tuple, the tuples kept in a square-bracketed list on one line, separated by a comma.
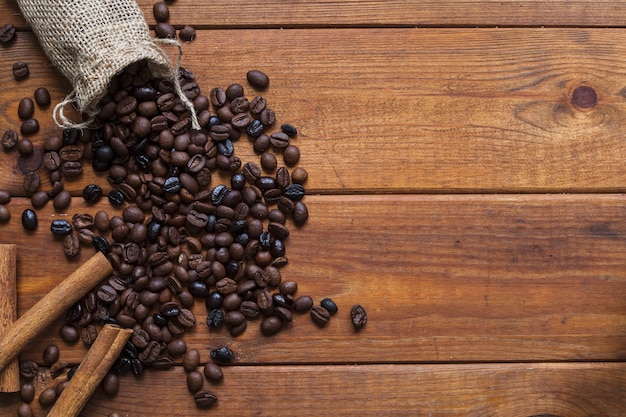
[(91, 41)]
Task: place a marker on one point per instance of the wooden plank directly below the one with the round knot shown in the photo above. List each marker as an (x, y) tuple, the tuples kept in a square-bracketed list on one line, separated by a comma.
[(443, 278)]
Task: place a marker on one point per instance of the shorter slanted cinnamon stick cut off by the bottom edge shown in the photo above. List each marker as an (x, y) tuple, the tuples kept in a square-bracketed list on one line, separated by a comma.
[(101, 356)]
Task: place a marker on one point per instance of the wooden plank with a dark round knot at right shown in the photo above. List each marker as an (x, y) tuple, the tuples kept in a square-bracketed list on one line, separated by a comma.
[(407, 110)]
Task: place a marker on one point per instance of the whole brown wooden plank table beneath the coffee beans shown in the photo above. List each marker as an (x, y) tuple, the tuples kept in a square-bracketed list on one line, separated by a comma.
[(457, 189)]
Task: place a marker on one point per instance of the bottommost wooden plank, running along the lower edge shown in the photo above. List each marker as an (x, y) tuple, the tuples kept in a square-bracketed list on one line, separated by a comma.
[(482, 390)]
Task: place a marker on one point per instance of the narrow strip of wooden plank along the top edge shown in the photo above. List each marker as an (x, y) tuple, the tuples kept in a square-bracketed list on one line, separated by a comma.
[(284, 13)]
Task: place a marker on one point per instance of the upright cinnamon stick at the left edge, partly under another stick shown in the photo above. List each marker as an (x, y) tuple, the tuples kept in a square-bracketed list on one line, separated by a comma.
[(9, 376)]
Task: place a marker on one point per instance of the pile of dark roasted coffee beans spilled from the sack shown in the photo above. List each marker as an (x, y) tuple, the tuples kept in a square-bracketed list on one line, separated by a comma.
[(179, 237)]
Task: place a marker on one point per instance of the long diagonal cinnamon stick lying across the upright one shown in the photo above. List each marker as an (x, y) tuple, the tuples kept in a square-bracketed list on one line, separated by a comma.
[(57, 301)]
